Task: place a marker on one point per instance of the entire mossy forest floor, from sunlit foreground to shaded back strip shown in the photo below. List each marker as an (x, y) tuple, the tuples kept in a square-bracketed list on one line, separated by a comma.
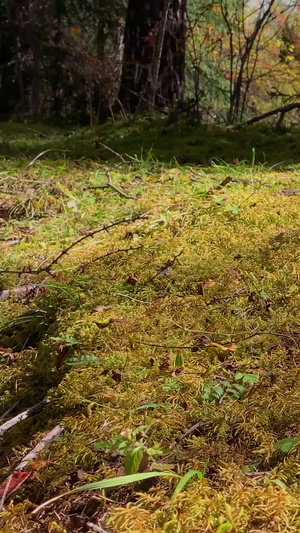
[(169, 343)]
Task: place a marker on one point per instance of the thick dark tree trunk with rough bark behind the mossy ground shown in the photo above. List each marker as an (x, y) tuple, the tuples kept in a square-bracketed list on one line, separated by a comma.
[(146, 54)]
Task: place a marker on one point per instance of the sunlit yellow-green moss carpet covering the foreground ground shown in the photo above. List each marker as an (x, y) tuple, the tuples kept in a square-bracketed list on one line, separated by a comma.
[(251, 261)]
